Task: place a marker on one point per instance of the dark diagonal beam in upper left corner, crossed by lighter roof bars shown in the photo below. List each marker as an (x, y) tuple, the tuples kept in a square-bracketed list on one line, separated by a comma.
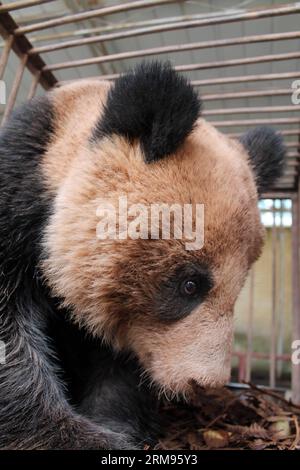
[(21, 46)]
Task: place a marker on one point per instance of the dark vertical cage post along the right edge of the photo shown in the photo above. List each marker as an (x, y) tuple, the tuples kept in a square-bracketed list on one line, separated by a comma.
[(295, 291)]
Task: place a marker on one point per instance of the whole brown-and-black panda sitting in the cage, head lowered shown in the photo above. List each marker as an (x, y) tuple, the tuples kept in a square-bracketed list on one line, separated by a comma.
[(96, 329)]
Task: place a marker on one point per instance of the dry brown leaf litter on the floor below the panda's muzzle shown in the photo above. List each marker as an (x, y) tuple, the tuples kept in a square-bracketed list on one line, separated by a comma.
[(251, 418)]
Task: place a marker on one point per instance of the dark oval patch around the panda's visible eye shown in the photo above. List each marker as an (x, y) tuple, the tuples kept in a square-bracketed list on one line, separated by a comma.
[(186, 288)]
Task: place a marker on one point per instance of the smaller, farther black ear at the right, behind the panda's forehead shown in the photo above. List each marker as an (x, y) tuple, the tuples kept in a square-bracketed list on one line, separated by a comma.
[(266, 151)]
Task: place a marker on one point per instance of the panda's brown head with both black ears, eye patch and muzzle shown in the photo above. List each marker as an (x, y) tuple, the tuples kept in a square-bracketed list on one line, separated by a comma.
[(171, 306)]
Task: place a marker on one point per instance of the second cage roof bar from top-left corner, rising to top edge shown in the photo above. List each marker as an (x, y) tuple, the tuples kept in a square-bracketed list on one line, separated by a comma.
[(119, 8)]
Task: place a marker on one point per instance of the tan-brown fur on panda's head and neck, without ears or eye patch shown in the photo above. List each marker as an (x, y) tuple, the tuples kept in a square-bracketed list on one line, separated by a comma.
[(110, 285)]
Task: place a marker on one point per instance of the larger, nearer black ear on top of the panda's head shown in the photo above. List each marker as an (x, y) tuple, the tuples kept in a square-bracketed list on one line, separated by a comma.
[(154, 104)]
